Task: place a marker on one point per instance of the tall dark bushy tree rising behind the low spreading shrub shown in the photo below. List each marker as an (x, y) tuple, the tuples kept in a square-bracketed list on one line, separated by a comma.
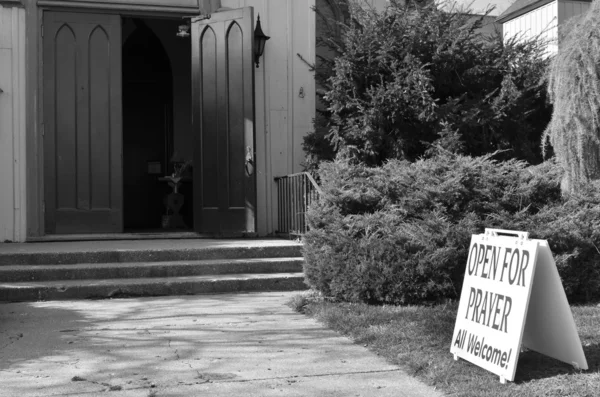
[(410, 77)]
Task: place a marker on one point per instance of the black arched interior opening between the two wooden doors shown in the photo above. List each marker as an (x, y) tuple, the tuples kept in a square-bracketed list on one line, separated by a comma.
[(147, 127)]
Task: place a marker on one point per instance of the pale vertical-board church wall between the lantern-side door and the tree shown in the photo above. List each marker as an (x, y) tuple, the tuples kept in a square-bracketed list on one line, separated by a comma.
[(283, 114)]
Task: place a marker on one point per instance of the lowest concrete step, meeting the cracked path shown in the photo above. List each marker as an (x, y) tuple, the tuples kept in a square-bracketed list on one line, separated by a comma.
[(120, 288)]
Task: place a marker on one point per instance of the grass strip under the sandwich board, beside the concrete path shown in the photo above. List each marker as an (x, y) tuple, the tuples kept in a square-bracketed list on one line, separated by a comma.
[(418, 338)]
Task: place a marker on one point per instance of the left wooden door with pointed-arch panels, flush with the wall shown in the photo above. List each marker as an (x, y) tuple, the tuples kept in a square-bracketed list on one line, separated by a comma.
[(82, 123)]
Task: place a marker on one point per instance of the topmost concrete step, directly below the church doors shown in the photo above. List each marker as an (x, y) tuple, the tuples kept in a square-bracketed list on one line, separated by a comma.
[(144, 251)]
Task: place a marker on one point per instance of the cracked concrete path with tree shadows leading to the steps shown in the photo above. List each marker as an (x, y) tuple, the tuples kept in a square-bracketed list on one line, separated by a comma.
[(206, 345)]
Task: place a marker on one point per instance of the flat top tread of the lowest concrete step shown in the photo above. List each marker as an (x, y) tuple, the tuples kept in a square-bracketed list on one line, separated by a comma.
[(150, 280)]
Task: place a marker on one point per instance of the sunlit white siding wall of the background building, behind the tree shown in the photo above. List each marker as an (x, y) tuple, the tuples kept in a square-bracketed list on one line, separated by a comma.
[(542, 21)]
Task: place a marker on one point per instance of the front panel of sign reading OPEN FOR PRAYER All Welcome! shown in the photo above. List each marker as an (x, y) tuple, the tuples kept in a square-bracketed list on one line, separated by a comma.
[(493, 304)]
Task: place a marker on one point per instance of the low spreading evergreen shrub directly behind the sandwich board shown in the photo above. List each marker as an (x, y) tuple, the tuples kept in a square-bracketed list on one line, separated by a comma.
[(400, 233)]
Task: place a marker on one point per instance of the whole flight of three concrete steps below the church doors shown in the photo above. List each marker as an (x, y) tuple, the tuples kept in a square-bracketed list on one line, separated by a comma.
[(107, 269)]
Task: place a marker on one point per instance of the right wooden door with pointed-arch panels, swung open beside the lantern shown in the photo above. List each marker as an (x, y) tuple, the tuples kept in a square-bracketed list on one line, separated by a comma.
[(223, 123)]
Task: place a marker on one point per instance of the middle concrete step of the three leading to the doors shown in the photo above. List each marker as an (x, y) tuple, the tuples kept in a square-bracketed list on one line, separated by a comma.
[(29, 273)]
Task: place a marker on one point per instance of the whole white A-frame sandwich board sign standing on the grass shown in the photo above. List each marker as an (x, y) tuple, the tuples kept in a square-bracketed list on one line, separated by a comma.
[(512, 296)]
